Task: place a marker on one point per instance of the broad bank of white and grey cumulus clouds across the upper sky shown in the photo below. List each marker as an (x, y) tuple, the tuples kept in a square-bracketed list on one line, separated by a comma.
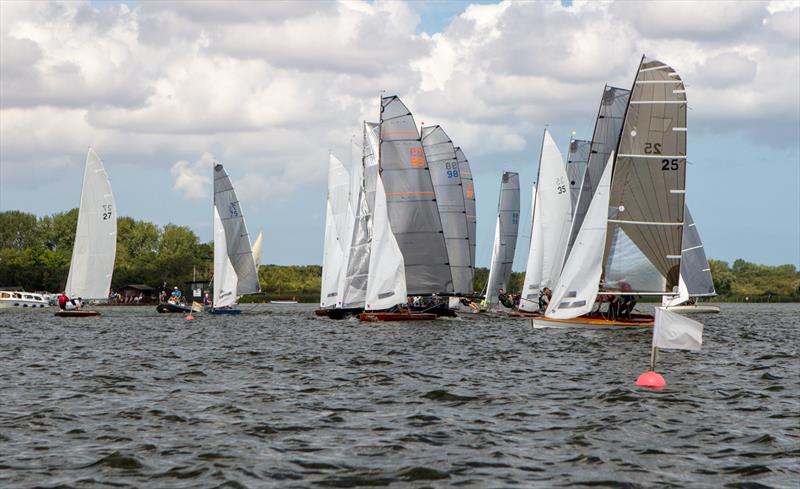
[(269, 87)]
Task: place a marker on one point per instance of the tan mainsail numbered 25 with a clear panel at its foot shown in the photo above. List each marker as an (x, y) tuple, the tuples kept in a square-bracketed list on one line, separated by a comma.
[(643, 245)]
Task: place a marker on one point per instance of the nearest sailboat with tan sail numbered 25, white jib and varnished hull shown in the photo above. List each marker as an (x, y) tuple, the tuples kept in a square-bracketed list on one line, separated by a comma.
[(630, 239)]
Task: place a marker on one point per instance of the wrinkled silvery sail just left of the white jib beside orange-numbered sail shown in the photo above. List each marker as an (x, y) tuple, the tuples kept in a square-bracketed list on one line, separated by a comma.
[(353, 287)]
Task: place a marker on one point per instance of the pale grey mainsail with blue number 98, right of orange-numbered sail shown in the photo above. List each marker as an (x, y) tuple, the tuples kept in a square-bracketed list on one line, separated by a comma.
[(450, 198)]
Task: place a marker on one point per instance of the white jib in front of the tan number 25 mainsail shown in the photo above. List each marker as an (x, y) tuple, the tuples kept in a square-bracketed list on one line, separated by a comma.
[(579, 283)]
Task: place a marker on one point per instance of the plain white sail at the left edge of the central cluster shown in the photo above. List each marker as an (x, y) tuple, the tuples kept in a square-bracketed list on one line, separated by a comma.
[(338, 215)]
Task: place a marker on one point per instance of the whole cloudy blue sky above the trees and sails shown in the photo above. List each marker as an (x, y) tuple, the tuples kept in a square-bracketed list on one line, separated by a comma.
[(163, 89)]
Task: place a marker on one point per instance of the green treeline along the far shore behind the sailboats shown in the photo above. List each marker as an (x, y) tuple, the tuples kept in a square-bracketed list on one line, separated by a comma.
[(35, 254)]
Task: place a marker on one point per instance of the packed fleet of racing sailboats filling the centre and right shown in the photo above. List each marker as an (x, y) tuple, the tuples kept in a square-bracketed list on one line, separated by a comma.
[(608, 225)]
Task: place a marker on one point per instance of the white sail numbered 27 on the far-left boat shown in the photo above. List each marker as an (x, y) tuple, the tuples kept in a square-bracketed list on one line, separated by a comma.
[(95, 245)]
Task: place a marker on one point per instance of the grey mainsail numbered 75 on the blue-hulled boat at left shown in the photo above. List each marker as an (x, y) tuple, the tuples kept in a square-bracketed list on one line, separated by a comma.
[(237, 240)]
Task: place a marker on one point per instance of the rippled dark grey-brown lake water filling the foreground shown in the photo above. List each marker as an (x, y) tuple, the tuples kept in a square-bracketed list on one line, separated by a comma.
[(278, 398)]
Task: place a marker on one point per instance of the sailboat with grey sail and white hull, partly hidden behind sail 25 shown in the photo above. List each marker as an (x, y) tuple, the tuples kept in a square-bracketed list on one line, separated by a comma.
[(695, 280)]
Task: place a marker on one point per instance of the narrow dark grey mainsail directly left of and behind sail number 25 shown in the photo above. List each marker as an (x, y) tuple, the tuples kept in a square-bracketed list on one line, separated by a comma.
[(605, 138)]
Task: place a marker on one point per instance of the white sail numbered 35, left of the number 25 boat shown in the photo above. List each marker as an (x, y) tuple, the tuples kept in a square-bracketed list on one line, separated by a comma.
[(552, 219)]
